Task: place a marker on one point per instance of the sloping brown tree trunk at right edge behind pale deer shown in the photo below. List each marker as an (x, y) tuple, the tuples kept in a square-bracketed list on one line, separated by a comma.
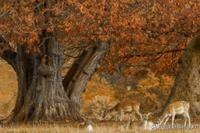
[(187, 82)]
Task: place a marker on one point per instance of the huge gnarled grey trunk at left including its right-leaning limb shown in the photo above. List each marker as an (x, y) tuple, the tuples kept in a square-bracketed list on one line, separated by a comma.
[(42, 93)]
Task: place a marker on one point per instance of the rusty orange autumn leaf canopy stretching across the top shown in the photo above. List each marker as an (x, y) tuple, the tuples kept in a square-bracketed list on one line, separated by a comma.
[(143, 33)]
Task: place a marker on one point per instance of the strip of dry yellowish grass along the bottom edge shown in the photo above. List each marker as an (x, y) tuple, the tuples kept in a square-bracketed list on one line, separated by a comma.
[(114, 128)]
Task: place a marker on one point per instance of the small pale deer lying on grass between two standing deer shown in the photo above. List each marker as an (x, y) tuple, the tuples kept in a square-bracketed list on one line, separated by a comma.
[(147, 125)]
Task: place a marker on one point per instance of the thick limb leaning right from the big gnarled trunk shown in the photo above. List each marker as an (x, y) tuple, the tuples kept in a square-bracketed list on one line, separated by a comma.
[(82, 70)]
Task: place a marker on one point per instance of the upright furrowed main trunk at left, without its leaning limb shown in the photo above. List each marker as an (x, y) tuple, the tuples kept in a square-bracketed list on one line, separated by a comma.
[(41, 95)]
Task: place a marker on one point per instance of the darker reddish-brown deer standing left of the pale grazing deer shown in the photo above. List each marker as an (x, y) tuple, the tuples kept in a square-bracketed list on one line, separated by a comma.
[(128, 106)]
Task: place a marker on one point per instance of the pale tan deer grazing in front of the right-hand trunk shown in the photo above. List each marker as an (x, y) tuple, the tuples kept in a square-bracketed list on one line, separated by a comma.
[(176, 108)]
